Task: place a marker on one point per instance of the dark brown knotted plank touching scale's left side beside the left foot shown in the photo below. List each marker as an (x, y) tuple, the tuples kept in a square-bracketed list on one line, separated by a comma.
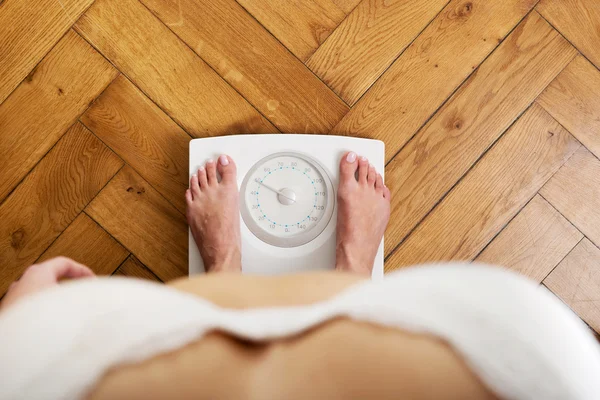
[(144, 222)]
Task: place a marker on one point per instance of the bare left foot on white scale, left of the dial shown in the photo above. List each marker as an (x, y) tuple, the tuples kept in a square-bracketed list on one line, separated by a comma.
[(213, 215)]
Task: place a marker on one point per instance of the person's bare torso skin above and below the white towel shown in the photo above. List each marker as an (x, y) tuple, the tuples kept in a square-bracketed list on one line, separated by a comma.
[(341, 359)]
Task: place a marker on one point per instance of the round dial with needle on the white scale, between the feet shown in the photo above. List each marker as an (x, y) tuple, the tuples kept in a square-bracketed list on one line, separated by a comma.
[(287, 199)]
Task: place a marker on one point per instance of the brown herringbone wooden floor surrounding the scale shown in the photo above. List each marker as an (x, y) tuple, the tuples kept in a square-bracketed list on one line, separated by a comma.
[(490, 111)]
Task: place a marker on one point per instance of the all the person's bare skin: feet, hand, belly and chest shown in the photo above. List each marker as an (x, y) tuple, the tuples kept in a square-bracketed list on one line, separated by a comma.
[(320, 363)]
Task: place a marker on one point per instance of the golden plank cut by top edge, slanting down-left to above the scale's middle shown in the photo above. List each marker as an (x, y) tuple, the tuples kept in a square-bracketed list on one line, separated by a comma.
[(368, 41)]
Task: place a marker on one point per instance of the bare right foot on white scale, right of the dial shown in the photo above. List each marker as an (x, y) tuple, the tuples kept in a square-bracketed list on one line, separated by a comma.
[(363, 214)]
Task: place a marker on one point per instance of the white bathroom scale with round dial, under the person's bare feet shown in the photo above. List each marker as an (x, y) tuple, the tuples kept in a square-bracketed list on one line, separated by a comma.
[(288, 185)]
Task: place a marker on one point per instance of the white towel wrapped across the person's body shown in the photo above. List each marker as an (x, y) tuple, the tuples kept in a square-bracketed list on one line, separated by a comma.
[(521, 341)]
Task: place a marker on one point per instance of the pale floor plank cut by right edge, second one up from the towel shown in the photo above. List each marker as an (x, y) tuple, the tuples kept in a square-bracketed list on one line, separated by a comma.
[(575, 192)]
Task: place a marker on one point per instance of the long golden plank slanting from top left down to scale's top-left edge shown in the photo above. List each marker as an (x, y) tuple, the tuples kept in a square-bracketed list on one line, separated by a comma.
[(167, 70)]
